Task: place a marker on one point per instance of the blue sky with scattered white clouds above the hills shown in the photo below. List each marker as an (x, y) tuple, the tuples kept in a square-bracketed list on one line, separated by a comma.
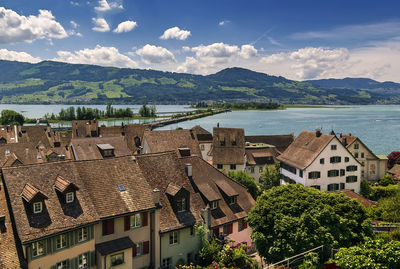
[(301, 40)]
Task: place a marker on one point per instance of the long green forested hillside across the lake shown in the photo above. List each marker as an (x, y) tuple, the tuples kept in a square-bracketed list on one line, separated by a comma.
[(56, 82)]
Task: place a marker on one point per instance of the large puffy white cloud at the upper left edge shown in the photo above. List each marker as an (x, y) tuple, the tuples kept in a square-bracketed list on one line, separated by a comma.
[(17, 28)]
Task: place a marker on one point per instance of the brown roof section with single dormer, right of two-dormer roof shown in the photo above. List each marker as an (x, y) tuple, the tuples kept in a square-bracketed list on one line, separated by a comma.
[(160, 170)]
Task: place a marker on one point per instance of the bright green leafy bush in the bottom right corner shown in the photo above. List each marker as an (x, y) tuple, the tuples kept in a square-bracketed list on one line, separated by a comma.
[(373, 254)]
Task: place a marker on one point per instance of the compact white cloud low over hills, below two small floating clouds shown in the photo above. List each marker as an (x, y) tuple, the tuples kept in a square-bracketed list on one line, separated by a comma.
[(155, 55)]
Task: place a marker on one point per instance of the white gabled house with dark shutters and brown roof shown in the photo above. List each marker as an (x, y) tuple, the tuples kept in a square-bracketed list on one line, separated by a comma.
[(320, 161)]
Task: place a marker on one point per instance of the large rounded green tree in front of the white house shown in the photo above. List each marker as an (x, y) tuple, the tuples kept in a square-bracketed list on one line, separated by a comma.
[(291, 219)]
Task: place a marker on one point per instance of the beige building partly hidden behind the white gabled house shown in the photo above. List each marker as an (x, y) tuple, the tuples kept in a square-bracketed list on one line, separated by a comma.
[(374, 167)]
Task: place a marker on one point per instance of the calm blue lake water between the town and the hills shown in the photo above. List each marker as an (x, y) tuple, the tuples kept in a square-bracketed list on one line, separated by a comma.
[(377, 126)]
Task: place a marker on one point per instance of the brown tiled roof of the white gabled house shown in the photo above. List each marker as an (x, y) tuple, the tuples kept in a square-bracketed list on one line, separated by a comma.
[(305, 149)]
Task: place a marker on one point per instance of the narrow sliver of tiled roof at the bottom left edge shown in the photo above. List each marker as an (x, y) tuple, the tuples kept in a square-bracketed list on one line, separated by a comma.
[(10, 252)]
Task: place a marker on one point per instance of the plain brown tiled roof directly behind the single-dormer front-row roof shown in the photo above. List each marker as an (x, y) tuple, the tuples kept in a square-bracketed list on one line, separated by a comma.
[(161, 141)]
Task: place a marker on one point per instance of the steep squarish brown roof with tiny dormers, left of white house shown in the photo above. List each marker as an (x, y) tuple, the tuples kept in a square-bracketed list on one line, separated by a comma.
[(228, 146)]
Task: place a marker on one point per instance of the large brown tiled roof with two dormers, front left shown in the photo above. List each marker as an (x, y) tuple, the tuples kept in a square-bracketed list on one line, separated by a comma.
[(98, 195)]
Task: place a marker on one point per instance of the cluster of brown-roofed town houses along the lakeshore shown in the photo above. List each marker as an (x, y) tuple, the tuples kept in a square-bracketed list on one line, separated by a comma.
[(131, 197)]
